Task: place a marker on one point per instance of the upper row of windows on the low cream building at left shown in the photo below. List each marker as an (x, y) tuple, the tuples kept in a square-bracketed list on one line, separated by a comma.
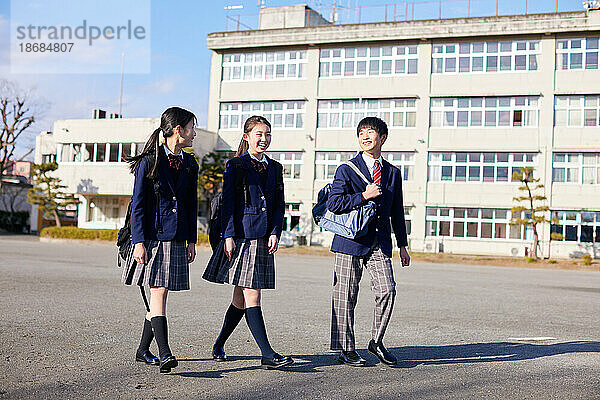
[(97, 152)]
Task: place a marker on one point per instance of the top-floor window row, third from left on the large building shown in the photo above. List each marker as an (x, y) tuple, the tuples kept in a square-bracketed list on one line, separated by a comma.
[(489, 57)]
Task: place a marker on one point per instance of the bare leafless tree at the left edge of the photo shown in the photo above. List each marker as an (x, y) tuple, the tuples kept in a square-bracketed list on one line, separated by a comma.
[(17, 114)]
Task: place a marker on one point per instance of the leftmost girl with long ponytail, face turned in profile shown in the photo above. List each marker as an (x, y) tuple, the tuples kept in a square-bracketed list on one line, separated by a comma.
[(163, 225)]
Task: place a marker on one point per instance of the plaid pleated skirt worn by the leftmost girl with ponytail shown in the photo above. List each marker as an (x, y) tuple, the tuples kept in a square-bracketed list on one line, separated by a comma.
[(167, 266)]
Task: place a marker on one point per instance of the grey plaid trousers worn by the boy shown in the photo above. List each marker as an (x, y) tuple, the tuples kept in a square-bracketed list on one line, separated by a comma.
[(346, 279)]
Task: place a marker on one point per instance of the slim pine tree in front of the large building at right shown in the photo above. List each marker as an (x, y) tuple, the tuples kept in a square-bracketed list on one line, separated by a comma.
[(534, 209)]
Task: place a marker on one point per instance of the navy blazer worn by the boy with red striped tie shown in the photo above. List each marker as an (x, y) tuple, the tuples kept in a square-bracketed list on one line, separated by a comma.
[(346, 195)]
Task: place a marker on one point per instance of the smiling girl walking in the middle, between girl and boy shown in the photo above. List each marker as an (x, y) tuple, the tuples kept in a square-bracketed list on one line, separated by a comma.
[(251, 220)]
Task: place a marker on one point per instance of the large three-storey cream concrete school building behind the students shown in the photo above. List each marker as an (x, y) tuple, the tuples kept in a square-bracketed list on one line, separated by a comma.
[(467, 101)]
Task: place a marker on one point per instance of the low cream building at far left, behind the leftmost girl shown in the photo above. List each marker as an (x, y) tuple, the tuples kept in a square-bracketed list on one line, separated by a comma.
[(89, 153)]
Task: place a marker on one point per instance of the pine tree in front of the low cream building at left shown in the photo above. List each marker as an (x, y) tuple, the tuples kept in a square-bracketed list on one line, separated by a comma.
[(48, 193)]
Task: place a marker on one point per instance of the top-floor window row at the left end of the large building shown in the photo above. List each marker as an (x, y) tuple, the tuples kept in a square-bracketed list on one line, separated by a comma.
[(258, 66)]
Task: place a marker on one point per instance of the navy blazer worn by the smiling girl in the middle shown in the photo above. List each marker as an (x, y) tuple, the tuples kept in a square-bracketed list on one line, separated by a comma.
[(264, 215)]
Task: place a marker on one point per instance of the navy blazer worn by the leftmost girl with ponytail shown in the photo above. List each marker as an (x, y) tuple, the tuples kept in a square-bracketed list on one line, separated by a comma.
[(178, 208)]
